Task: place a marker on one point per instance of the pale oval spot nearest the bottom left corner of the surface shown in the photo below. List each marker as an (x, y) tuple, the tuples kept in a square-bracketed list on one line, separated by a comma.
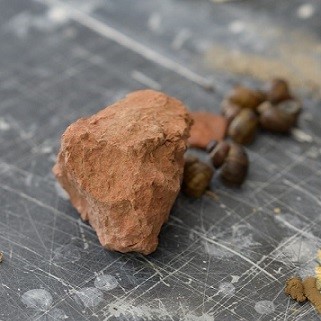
[(39, 299)]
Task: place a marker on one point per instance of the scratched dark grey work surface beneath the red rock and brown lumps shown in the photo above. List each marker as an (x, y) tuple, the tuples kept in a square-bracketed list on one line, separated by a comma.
[(218, 259)]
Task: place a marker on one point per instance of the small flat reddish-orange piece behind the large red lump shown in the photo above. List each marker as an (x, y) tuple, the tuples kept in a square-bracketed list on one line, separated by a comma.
[(207, 126)]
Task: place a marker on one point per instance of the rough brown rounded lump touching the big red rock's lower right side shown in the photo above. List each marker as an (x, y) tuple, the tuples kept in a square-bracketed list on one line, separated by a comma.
[(197, 177)]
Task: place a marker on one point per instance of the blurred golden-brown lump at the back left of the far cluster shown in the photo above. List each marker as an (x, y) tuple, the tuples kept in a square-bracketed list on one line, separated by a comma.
[(245, 97)]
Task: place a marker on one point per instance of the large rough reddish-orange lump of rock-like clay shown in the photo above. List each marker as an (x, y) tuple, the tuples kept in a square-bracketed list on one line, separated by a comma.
[(123, 167)]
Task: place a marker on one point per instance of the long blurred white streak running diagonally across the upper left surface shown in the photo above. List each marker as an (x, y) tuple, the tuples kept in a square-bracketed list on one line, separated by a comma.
[(109, 32)]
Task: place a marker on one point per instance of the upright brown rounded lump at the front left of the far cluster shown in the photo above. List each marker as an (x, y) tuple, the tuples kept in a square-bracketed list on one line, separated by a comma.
[(243, 127)]
